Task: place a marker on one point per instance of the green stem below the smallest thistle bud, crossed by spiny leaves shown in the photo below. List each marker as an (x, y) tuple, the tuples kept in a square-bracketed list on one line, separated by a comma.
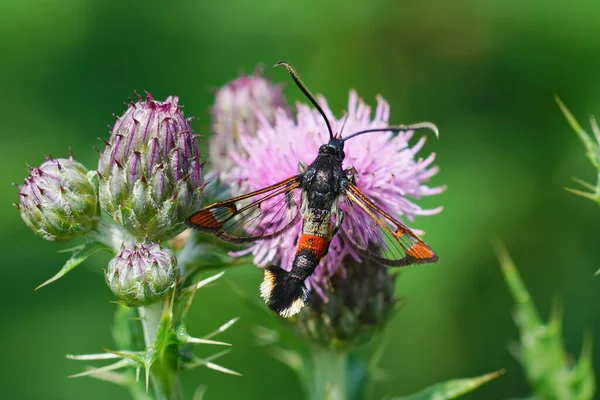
[(164, 376)]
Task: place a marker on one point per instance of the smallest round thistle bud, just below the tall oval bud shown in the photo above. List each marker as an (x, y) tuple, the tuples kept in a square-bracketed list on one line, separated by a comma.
[(142, 274)]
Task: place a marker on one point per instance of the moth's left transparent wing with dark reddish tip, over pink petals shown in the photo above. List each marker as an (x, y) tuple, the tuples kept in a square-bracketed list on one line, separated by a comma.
[(262, 214)]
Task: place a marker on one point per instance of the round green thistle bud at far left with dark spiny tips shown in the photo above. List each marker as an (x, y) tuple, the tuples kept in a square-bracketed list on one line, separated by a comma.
[(57, 201)]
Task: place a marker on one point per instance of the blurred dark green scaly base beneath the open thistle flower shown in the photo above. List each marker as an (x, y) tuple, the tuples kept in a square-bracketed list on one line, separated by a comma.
[(360, 300)]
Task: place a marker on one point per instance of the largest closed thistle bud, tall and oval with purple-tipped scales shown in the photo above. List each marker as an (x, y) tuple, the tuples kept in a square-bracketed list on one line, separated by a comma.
[(151, 177)]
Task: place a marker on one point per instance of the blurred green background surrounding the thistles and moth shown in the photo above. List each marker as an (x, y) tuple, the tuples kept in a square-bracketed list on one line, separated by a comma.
[(485, 72)]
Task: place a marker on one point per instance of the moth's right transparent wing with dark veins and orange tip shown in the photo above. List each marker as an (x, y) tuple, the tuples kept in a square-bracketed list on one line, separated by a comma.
[(376, 235)]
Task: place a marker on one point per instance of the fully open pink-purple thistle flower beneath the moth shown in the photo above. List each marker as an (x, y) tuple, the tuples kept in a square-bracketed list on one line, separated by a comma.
[(387, 171)]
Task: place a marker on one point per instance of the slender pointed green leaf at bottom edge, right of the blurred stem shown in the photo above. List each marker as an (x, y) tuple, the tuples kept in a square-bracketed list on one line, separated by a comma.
[(452, 389)]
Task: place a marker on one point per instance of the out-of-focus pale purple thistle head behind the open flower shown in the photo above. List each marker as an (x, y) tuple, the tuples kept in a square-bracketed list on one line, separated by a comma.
[(235, 111)]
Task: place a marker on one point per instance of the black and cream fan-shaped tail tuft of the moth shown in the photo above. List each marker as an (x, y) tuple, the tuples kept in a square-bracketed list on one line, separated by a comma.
[(284, 294)]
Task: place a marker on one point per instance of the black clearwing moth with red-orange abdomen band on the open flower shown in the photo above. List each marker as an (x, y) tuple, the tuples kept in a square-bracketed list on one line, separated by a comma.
[(314, 196)]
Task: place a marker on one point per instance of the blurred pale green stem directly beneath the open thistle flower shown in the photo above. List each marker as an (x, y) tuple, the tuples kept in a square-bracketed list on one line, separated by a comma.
[(328, 374)]
